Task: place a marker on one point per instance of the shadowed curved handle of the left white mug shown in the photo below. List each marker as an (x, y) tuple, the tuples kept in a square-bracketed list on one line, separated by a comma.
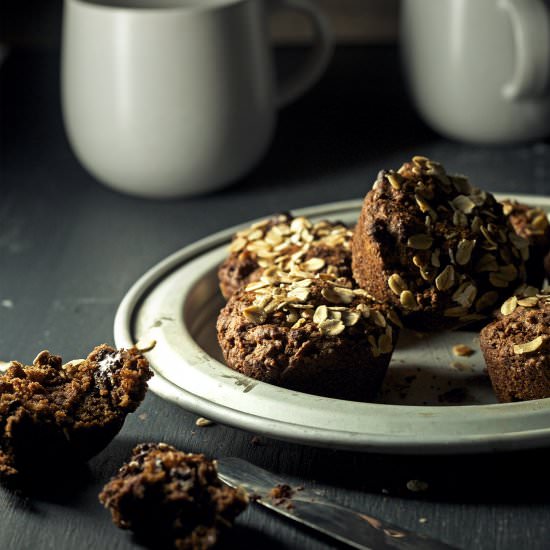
[(317, 58)]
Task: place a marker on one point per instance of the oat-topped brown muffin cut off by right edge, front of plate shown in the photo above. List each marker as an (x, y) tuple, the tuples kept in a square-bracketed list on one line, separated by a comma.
[(516, 349)]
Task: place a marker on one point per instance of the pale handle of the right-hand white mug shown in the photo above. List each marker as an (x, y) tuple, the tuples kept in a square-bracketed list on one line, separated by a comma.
[(531, 29)]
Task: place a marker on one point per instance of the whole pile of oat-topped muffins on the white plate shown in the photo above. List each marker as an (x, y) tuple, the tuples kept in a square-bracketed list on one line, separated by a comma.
[(317, 307)]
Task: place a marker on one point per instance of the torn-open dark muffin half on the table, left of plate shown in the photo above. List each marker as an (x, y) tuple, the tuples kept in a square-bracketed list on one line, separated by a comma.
[(59, 413)]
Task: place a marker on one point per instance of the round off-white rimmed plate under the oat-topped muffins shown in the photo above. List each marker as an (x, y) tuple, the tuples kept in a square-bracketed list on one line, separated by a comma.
[(177, 302)]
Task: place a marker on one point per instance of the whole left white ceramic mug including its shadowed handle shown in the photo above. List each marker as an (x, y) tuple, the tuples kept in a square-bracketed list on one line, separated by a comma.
[(166, 98)]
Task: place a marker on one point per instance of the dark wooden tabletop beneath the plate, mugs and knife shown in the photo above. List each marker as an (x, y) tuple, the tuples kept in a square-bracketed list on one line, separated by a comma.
[(70, 249)]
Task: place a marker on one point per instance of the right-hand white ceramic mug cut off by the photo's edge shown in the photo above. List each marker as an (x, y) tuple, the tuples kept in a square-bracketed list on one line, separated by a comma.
[(479, 70)]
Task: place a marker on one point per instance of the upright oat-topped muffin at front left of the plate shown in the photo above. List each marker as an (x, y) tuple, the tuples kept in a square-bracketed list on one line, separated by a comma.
[(311, 333)]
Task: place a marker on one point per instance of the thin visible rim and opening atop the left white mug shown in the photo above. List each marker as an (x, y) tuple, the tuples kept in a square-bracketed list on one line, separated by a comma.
[(155, 6)]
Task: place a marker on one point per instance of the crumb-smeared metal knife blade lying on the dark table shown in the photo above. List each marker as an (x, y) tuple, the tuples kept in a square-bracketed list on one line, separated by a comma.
[(330, 518)]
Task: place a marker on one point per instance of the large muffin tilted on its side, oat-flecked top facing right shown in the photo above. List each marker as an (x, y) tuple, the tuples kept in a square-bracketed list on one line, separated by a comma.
[(435, 247)]
